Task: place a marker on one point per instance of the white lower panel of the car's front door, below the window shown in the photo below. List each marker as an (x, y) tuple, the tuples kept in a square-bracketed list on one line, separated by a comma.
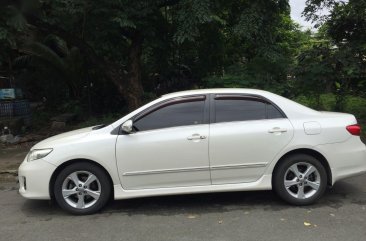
[(161, 164)]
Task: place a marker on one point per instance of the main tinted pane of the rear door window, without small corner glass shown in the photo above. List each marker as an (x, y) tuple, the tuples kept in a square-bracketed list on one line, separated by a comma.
[(239, 110)]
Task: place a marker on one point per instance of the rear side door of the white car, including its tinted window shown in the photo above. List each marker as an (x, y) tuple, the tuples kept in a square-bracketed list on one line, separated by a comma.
[(246, 133)]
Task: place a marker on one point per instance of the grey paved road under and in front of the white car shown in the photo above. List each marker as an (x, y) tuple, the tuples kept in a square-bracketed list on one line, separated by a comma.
[(341, 215)]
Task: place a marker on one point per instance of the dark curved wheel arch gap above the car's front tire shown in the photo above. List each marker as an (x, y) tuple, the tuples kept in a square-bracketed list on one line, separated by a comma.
[(70, 162)]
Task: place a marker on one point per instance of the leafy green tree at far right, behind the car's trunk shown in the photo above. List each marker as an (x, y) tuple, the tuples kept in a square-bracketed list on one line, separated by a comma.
[(335, 61)]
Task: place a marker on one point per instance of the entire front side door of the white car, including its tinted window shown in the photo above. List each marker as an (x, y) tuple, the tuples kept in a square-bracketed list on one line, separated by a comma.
[(169, 147)]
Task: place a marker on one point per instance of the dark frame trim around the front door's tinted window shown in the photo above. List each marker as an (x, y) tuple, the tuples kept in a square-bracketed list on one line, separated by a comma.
[(172, 101)]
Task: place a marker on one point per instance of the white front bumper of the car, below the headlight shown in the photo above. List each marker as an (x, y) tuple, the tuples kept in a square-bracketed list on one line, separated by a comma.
[(34, 178)]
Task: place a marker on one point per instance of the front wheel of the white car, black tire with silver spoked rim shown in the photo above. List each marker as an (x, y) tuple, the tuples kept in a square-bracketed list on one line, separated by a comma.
[(82, 188)]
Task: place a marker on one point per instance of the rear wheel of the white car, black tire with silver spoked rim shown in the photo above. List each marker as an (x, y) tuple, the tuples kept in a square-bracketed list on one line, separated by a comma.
[(301, 187)]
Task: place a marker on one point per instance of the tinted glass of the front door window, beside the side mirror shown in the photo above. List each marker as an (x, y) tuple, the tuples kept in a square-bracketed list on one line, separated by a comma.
[(179, 114)]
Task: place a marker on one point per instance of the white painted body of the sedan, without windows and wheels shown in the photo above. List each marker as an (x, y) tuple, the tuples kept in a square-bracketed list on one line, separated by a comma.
[(164, 167)]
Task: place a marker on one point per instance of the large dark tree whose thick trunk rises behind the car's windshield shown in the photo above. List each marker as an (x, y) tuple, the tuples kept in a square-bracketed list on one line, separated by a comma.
[(115, 36)]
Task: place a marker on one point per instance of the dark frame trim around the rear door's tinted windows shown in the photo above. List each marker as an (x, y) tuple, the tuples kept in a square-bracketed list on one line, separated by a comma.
[(238, 96)]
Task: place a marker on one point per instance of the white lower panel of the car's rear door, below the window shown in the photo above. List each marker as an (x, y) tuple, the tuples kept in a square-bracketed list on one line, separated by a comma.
[(236, 148)]
